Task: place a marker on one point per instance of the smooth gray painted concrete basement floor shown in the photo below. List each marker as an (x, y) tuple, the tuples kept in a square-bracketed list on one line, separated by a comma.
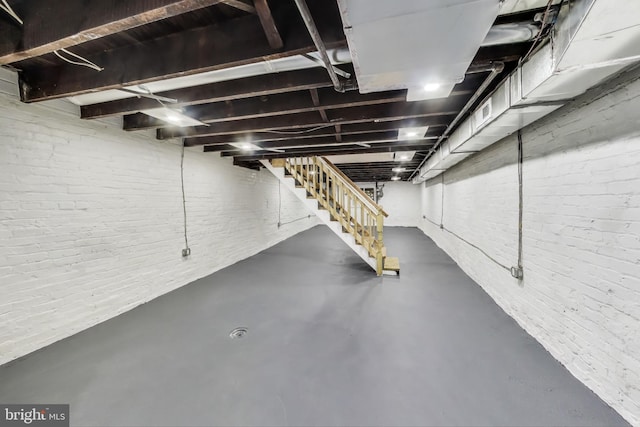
[(328, 343)]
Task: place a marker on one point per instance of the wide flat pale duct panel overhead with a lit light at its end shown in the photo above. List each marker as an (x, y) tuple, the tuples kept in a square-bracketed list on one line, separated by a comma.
[(423, 46)]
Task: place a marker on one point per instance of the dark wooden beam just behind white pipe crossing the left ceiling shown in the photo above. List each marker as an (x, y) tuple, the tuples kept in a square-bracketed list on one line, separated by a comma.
[(247, 87)]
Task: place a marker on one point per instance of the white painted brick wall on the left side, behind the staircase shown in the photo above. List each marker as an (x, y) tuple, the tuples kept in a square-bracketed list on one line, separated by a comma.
[(91, 220)]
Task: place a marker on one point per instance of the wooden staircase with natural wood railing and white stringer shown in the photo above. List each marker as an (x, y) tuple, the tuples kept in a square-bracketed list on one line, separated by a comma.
[(341, 204)]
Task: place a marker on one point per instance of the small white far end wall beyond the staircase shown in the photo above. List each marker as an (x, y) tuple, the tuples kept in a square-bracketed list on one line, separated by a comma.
[(401, 201)]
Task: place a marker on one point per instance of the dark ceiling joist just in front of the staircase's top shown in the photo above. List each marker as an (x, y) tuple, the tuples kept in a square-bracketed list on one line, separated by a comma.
[(330, 151)]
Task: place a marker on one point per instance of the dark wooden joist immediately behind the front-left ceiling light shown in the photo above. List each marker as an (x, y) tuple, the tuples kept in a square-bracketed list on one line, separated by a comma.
[(304, 121)]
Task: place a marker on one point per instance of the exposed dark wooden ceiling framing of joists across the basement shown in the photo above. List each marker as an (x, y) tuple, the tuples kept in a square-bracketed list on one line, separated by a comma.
[(286, 113)]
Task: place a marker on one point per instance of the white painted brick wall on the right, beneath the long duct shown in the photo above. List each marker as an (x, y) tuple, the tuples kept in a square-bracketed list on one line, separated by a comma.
[(580, 296)]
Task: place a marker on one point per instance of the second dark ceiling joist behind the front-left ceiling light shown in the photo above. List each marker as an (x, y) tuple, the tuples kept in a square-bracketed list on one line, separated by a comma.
[(348, 129)]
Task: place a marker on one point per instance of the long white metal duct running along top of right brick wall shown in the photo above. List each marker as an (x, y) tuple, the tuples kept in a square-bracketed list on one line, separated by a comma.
[(593, 40)]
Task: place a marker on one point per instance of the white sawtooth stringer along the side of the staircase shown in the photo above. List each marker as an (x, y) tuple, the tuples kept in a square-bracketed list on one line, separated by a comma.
[(322, 214)]
